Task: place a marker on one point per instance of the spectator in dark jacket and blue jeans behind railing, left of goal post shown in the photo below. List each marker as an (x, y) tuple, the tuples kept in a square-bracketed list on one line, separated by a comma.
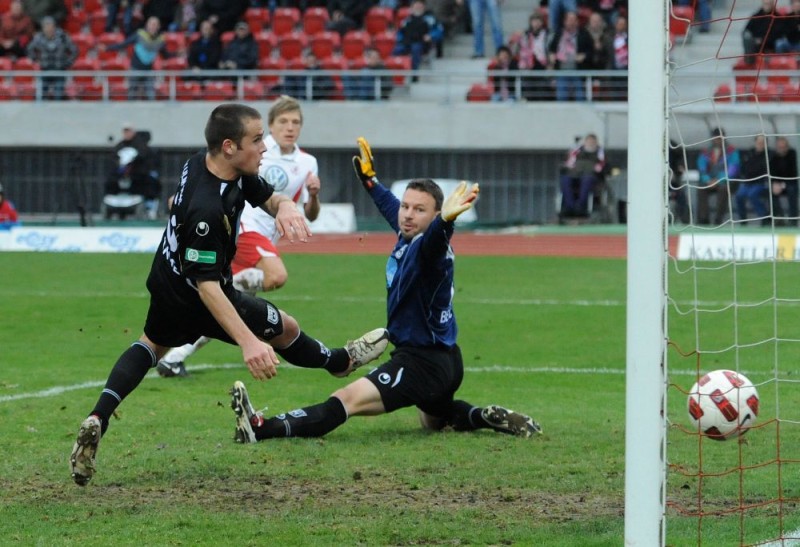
[(569, 50)]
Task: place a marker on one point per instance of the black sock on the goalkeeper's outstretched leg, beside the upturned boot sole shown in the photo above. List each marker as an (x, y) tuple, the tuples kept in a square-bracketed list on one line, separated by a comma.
[(311, 421)]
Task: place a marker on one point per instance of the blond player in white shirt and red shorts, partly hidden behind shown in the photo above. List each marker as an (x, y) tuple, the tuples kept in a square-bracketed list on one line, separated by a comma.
[(257, 264)]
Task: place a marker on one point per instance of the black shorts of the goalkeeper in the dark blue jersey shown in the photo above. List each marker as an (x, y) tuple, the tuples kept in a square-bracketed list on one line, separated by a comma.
[(423, 377)]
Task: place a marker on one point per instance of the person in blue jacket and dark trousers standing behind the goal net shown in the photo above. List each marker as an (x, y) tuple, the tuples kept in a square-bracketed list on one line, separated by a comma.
[(717, 164)]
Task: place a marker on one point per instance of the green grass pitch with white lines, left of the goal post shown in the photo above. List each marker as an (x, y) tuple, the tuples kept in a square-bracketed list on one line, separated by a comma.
[(544, 336)]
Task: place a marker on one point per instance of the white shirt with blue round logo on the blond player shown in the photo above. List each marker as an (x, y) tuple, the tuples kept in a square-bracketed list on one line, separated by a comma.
[(287, 173)]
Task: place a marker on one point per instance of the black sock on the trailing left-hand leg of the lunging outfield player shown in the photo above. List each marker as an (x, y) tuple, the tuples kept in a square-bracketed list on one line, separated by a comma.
[(131, 367)]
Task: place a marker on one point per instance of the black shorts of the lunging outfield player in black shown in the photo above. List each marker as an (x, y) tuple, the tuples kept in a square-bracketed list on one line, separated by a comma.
[(171, 327)]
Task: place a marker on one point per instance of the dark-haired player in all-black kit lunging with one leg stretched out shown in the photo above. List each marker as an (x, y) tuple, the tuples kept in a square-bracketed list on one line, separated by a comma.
[(190, 282)]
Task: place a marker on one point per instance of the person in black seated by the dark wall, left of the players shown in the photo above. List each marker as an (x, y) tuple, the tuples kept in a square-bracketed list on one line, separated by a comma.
[(134, 172)]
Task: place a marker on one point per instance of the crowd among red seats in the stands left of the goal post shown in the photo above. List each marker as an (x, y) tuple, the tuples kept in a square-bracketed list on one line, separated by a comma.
[(278, 35)]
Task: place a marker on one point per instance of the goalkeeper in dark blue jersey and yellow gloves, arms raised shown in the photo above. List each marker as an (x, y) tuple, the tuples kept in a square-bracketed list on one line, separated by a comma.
[(425, 368)]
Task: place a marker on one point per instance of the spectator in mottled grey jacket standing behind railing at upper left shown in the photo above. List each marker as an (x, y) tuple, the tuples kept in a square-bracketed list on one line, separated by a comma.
[(54, 50)]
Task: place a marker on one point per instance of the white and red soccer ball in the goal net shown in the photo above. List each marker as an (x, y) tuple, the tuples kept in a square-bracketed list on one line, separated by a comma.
[(723, 404)]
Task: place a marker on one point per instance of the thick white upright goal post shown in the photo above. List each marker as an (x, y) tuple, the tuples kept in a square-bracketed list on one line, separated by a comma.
[(645, 422)]
